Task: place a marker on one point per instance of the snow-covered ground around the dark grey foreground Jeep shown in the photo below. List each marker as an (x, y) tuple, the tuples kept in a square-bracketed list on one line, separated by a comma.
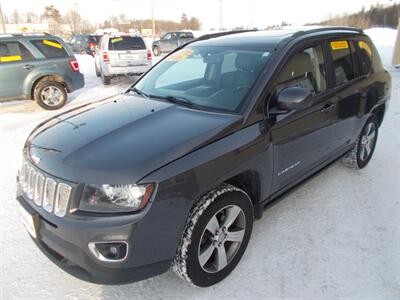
[(335, 237)]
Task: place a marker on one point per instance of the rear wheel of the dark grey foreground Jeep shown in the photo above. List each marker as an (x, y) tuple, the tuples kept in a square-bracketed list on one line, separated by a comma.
[(364, 146)]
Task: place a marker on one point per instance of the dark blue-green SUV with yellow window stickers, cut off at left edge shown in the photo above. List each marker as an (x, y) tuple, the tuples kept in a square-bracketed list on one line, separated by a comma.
[(41, 67)]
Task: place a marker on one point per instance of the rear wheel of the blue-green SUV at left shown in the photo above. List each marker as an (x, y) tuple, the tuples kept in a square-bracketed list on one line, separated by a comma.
[(50, 95)]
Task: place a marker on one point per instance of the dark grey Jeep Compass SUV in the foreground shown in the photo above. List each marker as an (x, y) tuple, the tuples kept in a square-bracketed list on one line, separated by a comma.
[(173, 172)]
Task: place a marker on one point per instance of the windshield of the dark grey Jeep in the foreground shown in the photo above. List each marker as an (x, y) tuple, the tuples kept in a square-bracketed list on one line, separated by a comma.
[(211, 77)]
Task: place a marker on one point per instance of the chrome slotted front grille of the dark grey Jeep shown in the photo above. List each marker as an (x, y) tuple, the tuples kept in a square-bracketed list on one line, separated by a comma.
[(44, 191)]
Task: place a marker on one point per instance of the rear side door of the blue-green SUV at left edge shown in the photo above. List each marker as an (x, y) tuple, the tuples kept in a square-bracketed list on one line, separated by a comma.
[(16, 62)]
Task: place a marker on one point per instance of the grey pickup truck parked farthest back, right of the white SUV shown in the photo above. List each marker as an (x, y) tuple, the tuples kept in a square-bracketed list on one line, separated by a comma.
[(170, 41)]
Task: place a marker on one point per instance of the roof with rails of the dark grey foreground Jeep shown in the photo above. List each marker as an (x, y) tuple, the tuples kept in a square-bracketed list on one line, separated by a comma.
[(267, 38)]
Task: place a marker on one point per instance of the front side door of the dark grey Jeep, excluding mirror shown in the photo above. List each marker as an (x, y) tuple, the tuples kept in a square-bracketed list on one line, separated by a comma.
[(304, 139)]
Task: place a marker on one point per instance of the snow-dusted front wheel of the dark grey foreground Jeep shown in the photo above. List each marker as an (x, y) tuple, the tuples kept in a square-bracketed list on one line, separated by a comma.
[(196, 260)]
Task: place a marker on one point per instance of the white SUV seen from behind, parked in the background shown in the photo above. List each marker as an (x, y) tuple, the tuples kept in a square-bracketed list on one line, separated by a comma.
[(121, 54)]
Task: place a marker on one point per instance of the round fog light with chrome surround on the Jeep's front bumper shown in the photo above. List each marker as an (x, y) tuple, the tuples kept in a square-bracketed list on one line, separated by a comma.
[(109, 251)]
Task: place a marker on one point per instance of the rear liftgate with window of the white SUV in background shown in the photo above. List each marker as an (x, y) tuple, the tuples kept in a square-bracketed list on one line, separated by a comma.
[(125, 51)]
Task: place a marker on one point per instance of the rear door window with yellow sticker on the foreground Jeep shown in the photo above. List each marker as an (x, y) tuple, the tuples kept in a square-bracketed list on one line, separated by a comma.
[(342, 61)]
